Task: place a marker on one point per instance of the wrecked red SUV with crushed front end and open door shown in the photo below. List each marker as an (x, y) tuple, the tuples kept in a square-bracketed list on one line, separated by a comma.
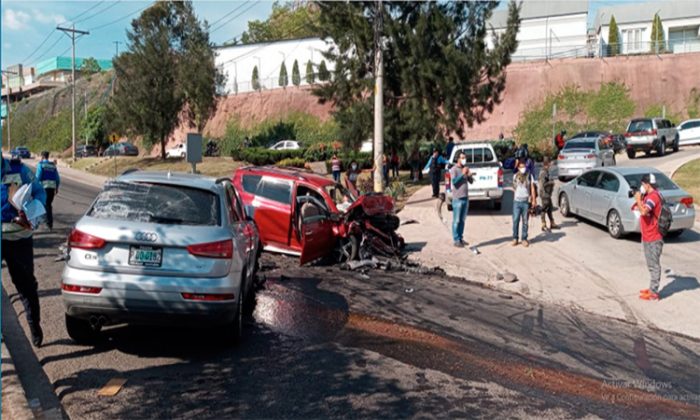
[(333, 221)]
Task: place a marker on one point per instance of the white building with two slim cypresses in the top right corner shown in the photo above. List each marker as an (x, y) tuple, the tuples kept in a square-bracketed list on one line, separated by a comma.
[(680, 20)]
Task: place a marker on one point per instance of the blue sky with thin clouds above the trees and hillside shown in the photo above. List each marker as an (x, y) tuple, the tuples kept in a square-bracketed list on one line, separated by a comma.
[(29, 35)]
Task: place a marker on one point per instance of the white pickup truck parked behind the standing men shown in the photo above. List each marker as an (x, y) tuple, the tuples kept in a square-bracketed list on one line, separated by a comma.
[(487, 172)]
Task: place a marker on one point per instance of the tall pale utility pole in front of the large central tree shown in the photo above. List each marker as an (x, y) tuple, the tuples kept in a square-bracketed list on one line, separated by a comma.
[(378, 103)]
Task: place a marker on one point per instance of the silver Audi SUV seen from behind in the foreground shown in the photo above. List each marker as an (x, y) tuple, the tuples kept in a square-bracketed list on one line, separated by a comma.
[(156, 248)]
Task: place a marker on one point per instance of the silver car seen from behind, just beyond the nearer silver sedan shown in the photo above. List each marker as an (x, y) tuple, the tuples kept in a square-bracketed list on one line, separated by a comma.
[(583, 153)]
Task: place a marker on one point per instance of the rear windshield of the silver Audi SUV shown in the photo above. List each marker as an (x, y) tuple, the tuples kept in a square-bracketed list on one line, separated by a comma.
[(156, 203)]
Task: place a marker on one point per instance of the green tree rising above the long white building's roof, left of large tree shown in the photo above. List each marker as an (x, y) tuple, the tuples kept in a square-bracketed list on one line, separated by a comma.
[(285, 22)]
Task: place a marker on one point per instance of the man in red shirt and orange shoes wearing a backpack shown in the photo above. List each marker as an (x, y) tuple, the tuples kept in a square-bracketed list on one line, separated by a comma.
[(648, 203)]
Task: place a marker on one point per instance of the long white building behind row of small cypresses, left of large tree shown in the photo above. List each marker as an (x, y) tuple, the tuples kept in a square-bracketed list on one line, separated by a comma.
[(237, 62)]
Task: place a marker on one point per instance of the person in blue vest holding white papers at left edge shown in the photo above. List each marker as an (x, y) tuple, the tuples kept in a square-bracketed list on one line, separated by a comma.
[(17, 242)]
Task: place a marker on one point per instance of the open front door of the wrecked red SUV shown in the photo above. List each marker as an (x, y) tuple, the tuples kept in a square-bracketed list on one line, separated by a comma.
[(316, 229)]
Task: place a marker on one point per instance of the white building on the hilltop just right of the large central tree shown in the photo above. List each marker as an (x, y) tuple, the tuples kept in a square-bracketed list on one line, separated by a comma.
[(548, 29)]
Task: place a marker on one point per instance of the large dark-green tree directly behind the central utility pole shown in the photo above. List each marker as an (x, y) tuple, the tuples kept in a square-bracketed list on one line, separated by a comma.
[(439, 74)]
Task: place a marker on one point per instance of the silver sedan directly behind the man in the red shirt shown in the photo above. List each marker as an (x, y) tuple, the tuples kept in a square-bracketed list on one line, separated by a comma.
[(605, 196)]
